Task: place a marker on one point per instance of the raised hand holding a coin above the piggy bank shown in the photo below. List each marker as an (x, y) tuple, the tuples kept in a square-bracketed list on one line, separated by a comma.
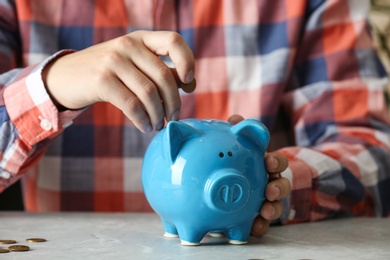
[(128, 73)]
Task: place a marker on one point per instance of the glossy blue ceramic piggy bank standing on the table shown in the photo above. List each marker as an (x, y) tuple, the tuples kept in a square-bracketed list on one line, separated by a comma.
[(205, 176)]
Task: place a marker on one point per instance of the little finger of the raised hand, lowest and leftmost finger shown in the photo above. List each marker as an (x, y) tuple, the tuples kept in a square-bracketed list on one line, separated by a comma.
[(121, 97)]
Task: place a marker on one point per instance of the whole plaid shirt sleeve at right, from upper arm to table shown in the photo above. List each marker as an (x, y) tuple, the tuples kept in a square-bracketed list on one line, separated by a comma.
[(341, 164)]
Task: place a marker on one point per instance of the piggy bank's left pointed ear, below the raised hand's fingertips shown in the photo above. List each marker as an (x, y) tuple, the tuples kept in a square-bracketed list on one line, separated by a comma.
[(176, 134)]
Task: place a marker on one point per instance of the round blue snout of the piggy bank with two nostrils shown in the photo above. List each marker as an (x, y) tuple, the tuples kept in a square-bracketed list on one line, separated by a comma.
[(227, 191)]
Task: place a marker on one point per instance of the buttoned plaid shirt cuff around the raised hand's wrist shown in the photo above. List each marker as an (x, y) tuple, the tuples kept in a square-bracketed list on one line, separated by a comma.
[(30, 108)]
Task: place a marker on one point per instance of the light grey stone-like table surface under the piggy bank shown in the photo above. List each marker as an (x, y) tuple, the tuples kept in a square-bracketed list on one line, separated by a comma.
[(139, 236)]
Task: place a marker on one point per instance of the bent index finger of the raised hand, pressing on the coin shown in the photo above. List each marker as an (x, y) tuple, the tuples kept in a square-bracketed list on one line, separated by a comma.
[(171, 44)]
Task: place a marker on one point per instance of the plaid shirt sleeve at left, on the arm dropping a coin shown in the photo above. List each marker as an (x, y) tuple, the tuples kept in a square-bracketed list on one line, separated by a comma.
[(28, 117)]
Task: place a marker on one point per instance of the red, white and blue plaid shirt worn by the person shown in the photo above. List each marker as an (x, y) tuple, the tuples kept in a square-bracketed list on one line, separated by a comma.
[(305, 68)]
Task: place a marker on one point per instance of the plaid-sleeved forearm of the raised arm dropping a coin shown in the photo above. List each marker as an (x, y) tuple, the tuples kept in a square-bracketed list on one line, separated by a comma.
[(29, 121)]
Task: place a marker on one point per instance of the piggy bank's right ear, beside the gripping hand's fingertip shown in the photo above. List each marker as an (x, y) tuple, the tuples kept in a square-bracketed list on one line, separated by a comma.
[(254, 131)]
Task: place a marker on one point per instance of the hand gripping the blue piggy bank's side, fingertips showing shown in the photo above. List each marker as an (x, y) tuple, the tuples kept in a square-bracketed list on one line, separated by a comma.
[(277, 188)]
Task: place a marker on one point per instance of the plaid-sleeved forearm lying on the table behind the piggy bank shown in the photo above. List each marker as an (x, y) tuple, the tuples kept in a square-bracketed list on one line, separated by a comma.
[(340, 179)]
